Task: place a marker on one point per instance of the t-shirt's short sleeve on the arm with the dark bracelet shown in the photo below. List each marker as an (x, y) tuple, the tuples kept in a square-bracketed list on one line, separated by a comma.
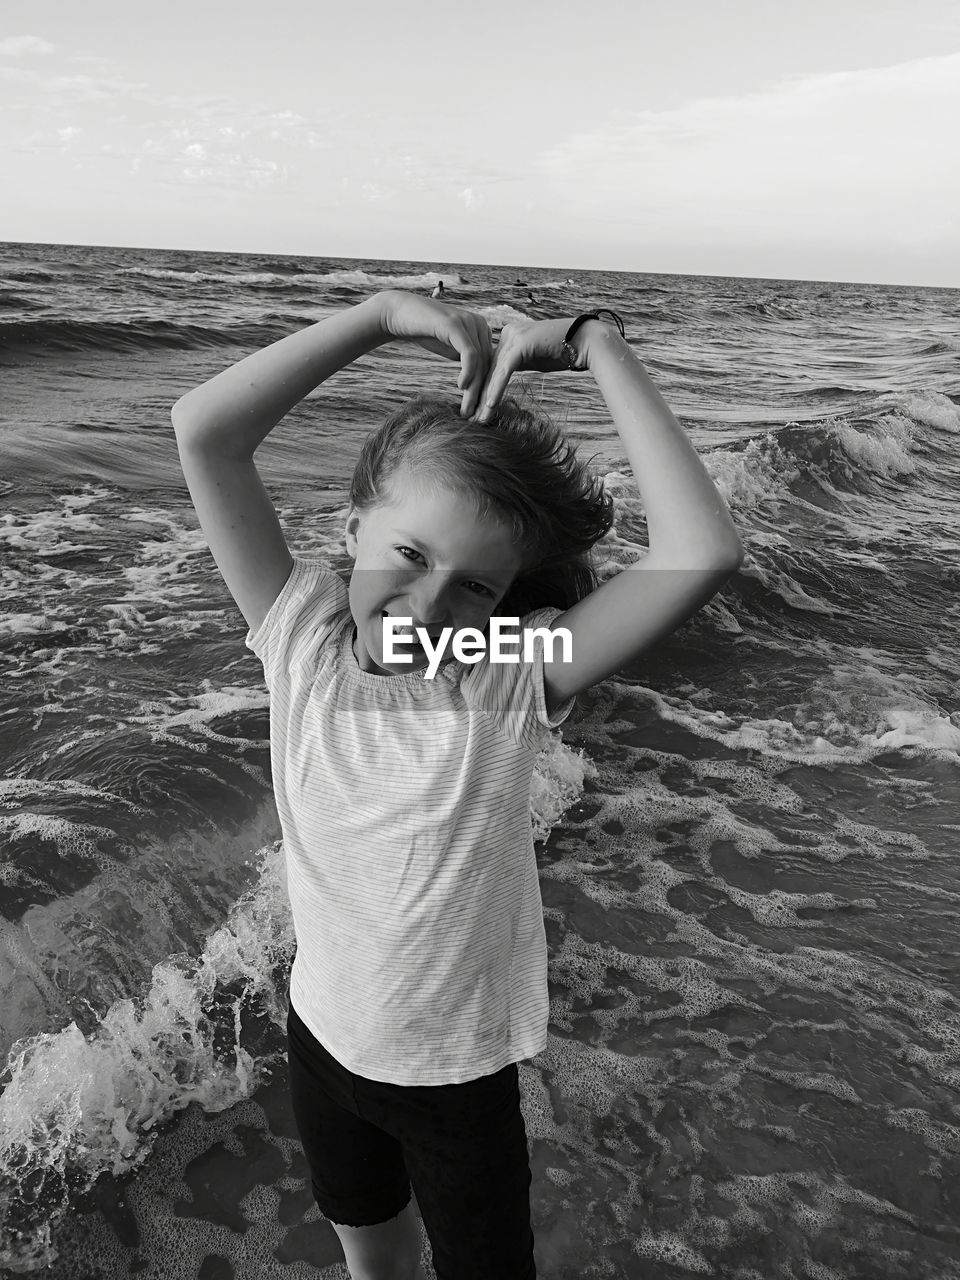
[(514, 694)]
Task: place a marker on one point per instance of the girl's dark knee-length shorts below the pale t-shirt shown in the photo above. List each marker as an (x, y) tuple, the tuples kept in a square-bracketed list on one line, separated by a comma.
[(461, 1146)]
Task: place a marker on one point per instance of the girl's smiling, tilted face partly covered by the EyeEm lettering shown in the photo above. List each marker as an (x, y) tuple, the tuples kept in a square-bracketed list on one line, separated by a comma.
[(428, 557)]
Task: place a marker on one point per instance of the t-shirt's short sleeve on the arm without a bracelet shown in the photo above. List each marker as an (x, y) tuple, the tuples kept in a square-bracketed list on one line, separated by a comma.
[(301, 620)]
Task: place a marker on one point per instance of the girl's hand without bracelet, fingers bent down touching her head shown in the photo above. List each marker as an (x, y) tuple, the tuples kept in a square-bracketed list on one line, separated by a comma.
[(447, 331)]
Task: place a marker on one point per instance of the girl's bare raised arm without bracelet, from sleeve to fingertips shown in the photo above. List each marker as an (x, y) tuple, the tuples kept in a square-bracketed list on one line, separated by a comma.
[(221, 424)]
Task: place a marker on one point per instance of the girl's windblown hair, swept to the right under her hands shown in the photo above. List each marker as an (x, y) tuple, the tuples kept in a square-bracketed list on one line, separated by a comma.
[(516, 468)]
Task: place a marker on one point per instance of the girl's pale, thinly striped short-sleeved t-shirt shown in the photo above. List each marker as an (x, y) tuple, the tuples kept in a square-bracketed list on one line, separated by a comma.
[(405, 808)]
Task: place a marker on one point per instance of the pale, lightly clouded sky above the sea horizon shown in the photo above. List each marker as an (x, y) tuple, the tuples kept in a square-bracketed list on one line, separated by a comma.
[(717, 138)]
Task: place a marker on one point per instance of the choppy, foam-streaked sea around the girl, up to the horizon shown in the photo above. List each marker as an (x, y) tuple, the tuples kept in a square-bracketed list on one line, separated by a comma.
[(748, 840)]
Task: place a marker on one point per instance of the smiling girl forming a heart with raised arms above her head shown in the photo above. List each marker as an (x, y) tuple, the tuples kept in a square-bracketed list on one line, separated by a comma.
[(420, 976)]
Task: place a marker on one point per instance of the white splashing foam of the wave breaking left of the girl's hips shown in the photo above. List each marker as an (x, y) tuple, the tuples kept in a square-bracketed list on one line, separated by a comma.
[(89, 1104)]
